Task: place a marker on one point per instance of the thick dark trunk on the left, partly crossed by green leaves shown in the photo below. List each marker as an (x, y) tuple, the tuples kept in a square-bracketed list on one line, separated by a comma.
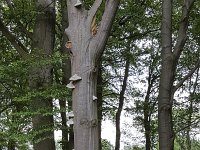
[(41, 76)]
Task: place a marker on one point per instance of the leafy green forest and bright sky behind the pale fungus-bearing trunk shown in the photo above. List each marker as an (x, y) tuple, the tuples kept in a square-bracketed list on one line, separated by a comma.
[(35, 71)]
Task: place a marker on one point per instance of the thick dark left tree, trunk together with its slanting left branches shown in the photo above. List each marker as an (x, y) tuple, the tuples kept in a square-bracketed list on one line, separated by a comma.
[(40, 76)]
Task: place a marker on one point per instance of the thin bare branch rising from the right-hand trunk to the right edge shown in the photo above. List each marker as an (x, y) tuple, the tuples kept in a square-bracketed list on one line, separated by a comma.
[(187, 76)]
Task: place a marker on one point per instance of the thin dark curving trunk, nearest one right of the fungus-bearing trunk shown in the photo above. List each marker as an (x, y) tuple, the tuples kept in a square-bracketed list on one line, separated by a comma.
[(120, 107)]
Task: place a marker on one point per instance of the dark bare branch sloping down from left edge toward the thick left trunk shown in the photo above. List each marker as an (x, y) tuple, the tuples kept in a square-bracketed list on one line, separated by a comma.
[(13, 40)]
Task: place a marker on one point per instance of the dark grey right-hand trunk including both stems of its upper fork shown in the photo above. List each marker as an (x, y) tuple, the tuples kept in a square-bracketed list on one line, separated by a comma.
[(168, 69)]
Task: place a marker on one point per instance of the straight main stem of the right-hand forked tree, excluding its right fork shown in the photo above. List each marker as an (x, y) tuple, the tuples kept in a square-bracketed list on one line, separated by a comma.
[(166, 80)]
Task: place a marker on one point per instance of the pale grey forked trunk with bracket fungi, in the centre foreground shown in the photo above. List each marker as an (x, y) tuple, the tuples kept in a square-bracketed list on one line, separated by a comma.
[(86, 51)]
